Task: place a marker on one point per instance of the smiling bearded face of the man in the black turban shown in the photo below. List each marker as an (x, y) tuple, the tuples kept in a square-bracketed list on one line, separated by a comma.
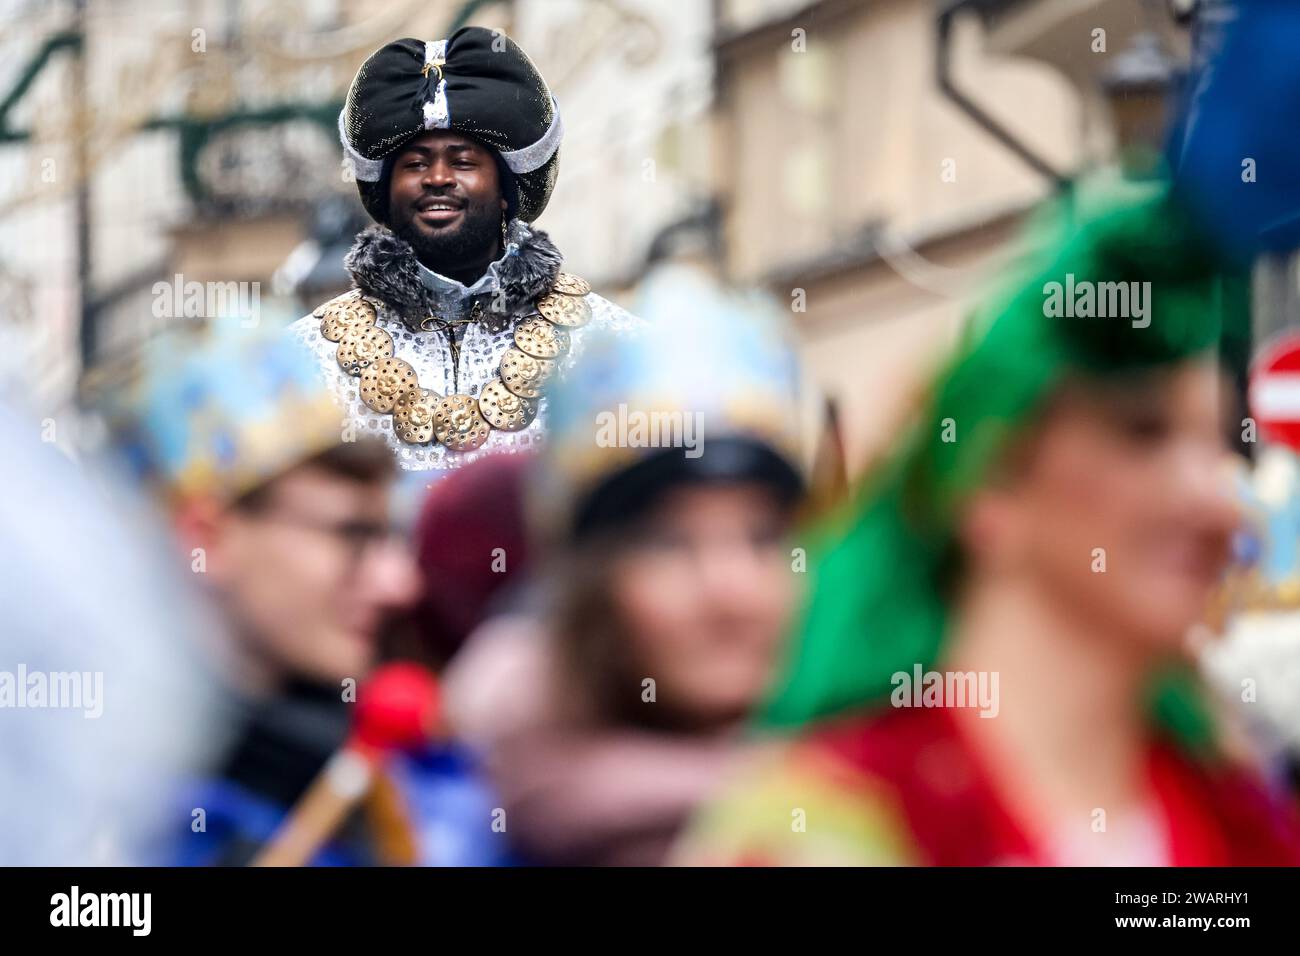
[(445, 200)]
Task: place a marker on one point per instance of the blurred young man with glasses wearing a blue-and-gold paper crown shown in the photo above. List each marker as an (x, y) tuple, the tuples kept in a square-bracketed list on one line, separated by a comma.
[(281, 512)]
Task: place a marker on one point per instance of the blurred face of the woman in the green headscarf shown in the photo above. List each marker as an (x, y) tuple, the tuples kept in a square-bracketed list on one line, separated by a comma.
[(1120, 508)]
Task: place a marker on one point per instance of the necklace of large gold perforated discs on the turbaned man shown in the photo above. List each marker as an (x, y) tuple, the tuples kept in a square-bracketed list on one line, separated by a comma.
[(509, 404)]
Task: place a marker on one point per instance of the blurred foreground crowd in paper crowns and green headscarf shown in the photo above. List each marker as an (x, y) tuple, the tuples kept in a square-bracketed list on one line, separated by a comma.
[(1026, 637)]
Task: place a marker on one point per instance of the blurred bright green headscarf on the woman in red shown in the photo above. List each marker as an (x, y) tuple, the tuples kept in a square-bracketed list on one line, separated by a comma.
[(882, 570)]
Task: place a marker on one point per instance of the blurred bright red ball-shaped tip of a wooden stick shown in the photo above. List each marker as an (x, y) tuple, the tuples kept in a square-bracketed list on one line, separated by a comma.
[(397, 708)]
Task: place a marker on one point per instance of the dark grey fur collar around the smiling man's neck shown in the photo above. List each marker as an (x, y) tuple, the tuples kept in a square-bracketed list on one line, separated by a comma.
[(384, 266)]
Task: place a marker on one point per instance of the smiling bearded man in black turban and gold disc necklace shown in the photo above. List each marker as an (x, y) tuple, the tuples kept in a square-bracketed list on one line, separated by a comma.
[(461, 313)]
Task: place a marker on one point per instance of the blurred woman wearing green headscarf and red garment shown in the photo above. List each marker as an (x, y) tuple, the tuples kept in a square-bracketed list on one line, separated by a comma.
[(1056, 521)]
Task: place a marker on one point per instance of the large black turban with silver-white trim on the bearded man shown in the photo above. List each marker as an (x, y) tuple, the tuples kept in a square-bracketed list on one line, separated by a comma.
[(480, 84)]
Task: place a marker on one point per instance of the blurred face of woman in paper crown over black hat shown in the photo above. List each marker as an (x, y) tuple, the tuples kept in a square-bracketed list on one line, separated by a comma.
[(705, 594)]
